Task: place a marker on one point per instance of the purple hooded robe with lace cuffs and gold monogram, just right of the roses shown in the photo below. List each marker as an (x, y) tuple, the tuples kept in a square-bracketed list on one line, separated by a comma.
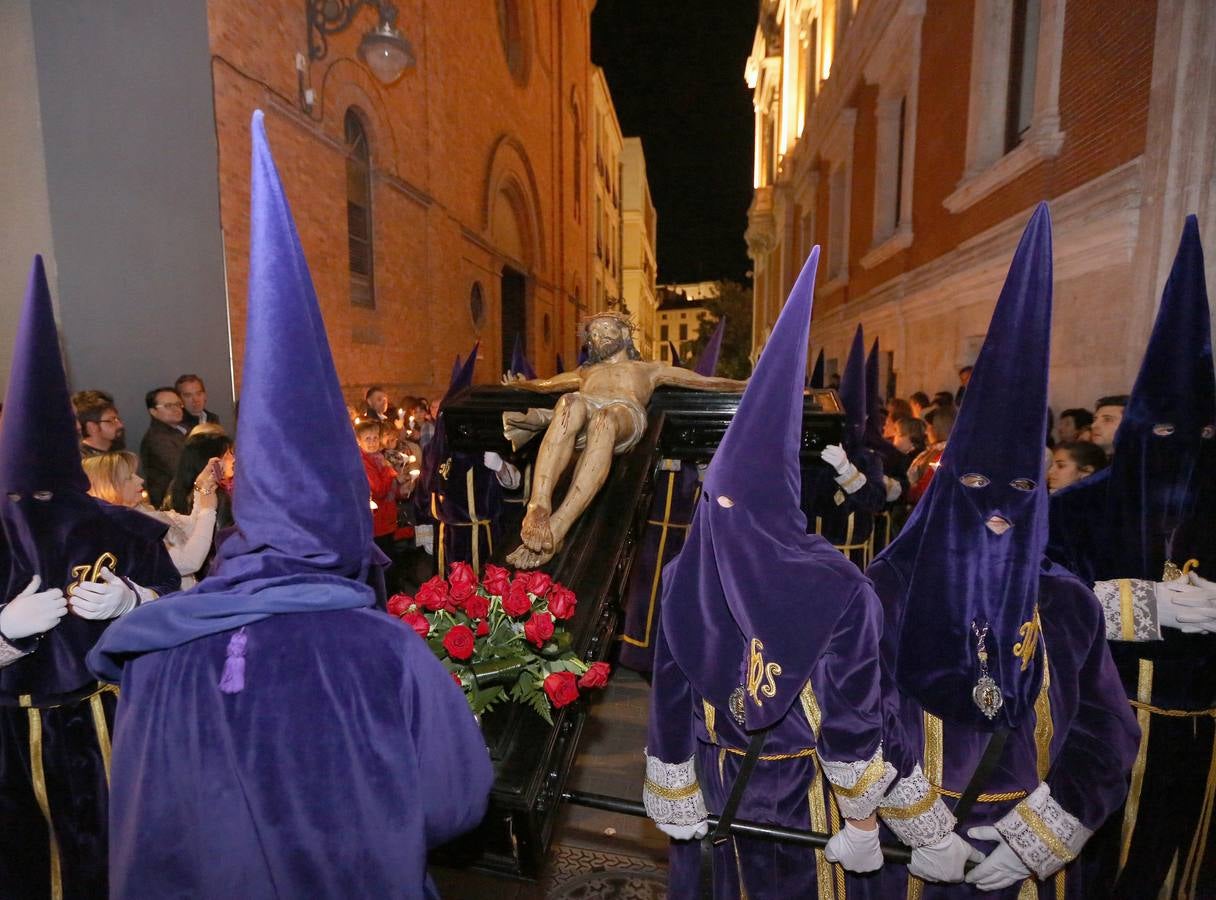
[(764, 627)]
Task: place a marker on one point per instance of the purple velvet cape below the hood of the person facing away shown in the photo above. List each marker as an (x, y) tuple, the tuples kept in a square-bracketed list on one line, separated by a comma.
[(347, 757)]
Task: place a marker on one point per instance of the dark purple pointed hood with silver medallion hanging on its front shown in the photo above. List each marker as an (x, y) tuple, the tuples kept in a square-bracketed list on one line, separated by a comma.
[(973, 549)]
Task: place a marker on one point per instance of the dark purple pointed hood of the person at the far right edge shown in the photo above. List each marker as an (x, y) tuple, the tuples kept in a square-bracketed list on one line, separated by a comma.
[(1161, 498)]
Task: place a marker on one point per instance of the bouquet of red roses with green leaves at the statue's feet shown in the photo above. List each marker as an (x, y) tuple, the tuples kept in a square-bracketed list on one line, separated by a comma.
[(503, 638)]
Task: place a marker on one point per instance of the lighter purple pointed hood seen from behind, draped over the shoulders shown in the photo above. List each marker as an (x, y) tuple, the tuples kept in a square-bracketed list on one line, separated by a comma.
[(303, 539)]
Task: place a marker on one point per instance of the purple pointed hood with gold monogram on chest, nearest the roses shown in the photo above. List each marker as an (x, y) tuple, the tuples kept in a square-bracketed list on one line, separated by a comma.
[(739, 598)]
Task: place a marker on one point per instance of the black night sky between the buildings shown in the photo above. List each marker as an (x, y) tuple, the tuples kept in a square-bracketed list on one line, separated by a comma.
[(675, 70)]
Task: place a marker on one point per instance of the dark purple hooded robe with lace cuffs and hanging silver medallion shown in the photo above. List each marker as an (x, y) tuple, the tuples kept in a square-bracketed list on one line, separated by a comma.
[(972, 555)]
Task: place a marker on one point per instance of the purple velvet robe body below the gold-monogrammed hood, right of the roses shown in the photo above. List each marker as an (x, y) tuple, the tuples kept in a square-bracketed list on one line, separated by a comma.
[(846, 684)]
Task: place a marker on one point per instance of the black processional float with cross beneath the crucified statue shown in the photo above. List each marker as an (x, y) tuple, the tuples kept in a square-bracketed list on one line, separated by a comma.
[(532, 760)]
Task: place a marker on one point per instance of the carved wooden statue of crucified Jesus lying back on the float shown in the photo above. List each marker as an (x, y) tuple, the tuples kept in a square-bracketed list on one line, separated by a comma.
[(603, 413)]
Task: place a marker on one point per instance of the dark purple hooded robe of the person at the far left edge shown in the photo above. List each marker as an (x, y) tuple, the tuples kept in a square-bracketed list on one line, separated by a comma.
[(55, 719)]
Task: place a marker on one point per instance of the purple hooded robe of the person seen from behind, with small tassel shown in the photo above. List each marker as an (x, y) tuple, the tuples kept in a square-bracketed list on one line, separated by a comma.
[(278, 738)]
